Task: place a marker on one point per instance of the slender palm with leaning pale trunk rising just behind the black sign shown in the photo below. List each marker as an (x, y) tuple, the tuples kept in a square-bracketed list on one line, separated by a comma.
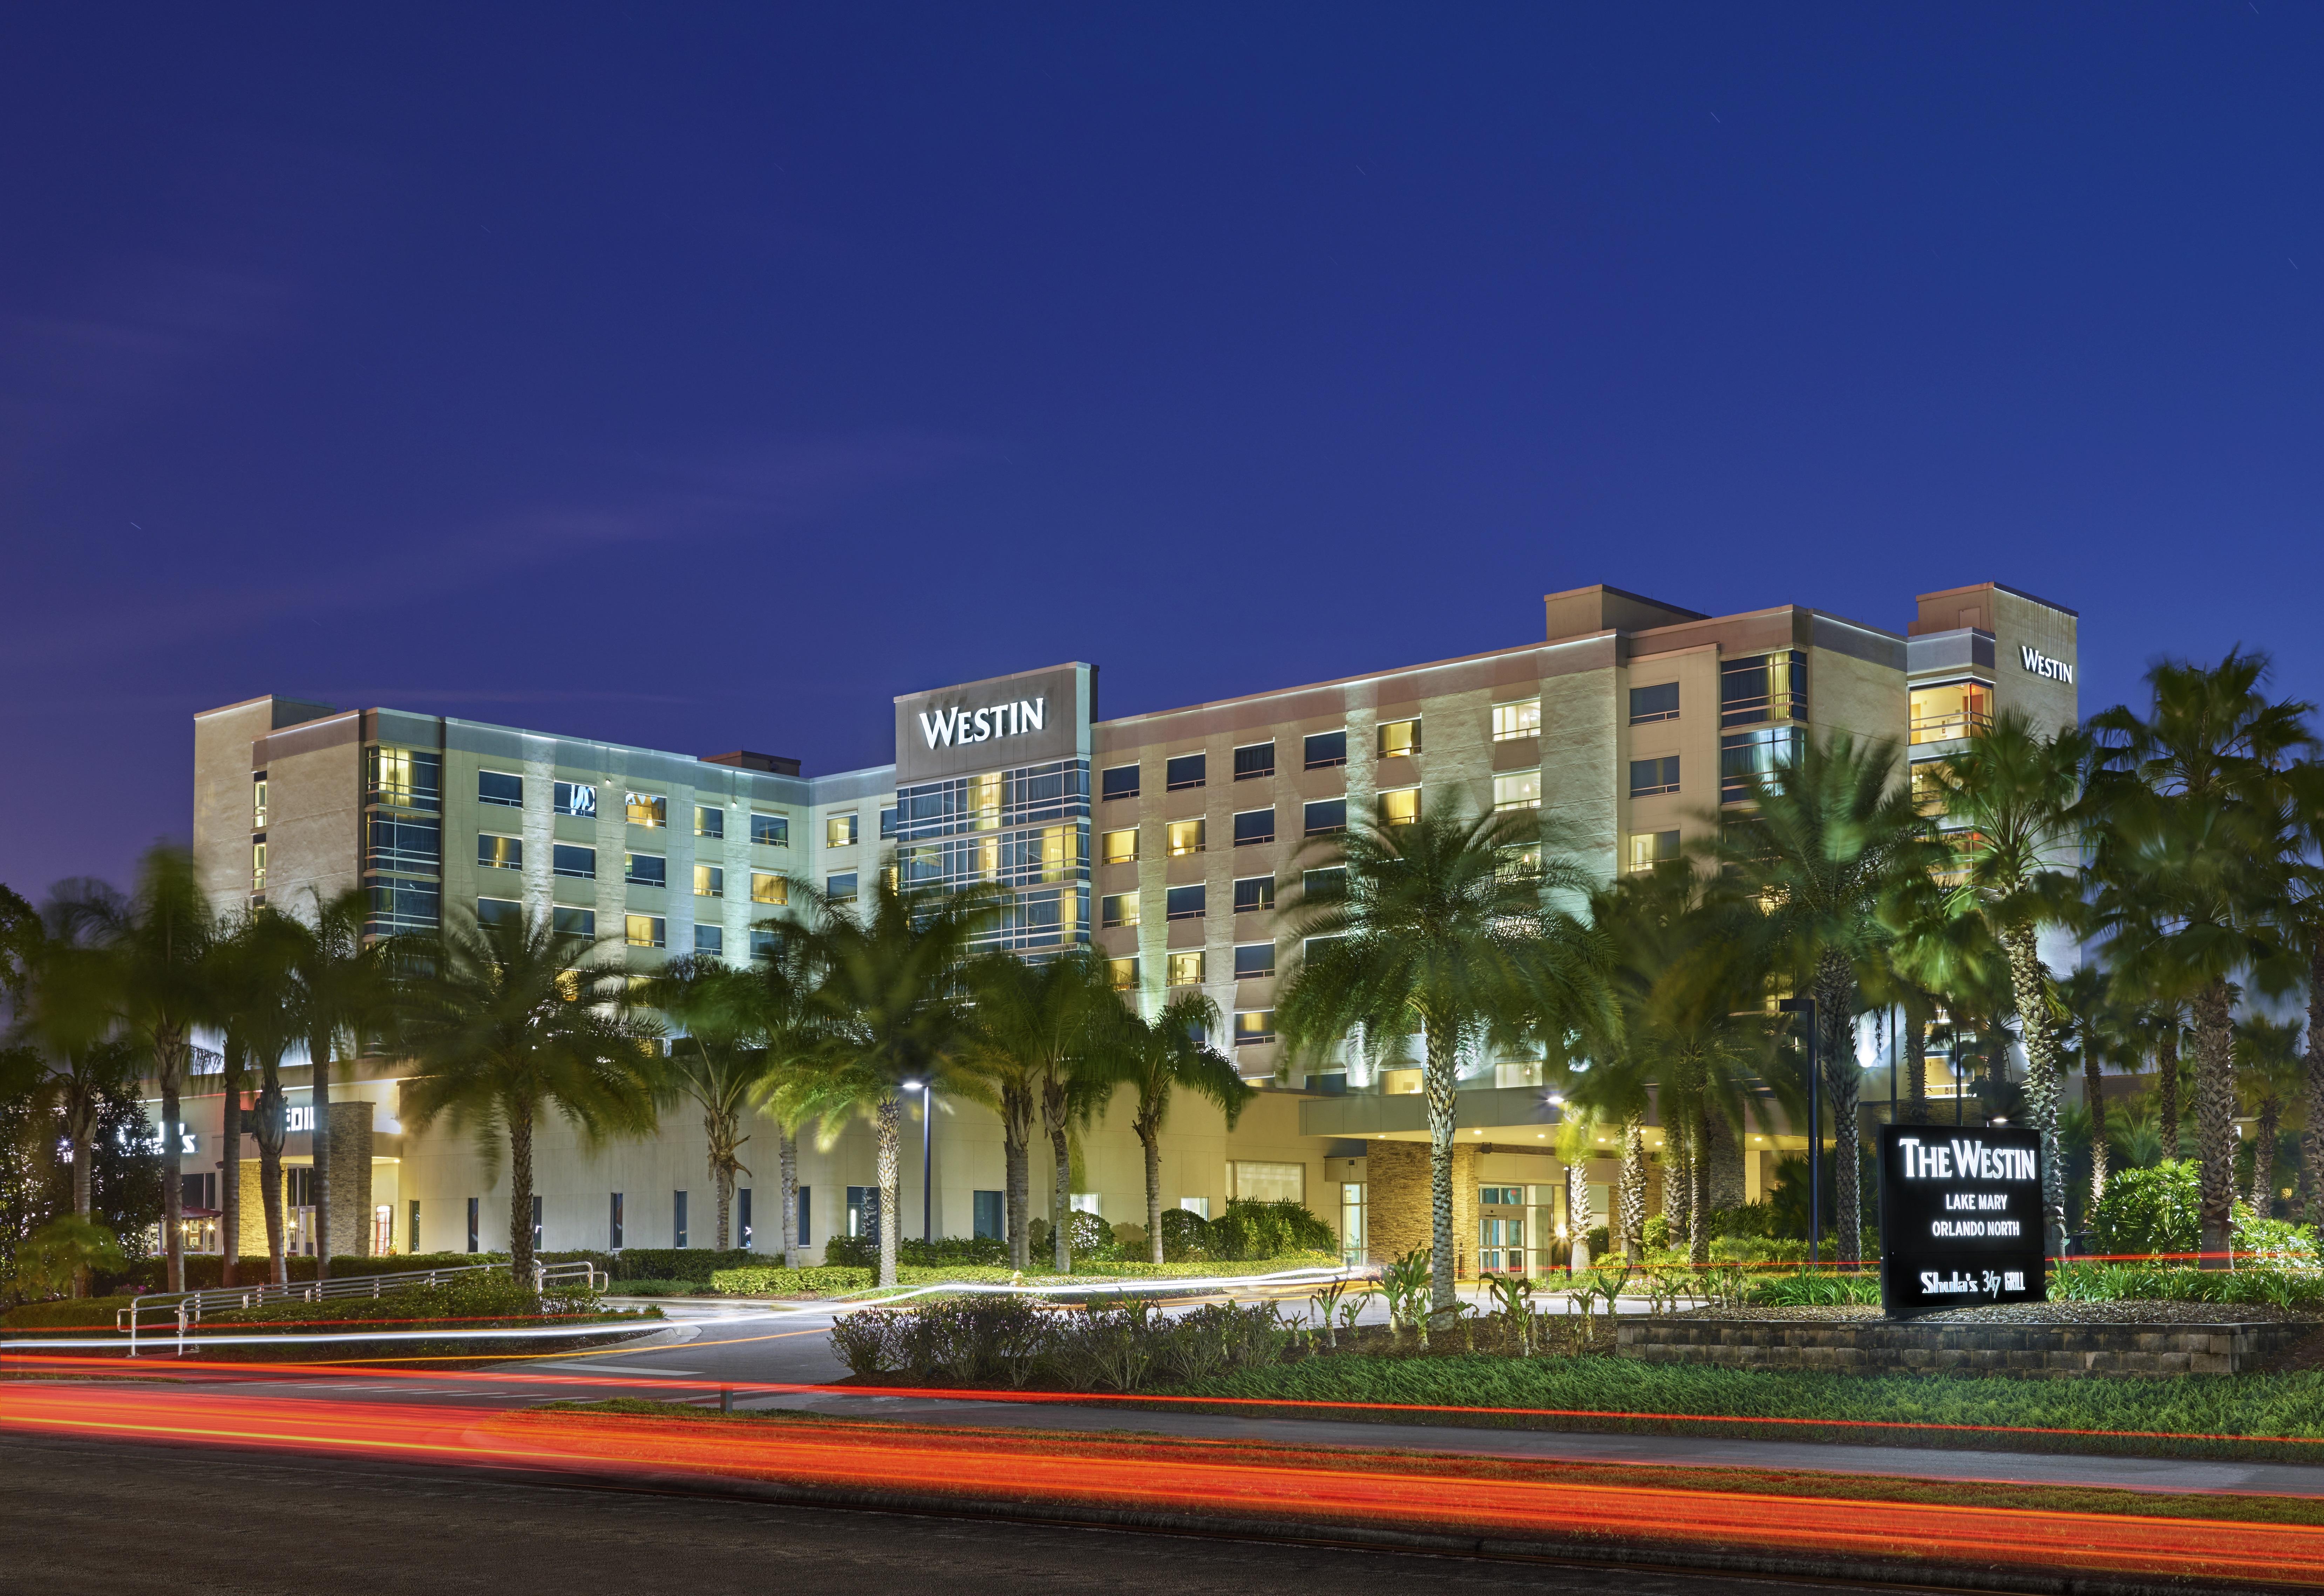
[(2011, 810)]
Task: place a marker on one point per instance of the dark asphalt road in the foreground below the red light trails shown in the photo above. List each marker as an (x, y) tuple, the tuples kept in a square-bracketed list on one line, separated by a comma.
[(83, 1516)]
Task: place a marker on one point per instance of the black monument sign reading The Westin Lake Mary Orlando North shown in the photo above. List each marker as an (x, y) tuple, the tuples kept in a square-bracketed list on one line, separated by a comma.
[(1960, 1218)]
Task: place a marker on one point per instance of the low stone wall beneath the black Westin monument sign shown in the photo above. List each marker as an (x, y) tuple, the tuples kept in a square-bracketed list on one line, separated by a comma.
[(1918, 1346)]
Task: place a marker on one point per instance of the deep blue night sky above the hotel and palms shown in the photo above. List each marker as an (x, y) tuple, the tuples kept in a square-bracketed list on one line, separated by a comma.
[(705, 380)]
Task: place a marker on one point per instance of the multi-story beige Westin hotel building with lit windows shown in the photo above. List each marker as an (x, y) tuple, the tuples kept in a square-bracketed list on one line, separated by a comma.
[(1159, 840)]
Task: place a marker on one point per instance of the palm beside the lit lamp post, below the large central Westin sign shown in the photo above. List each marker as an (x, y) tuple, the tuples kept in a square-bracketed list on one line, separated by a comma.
[(889, 1012)]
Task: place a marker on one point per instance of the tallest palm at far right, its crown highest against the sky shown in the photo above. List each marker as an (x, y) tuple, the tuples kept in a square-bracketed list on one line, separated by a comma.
[(2197, 870)]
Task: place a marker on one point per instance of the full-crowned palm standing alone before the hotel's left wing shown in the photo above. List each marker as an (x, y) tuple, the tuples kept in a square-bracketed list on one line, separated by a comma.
[(508, 1023)]
